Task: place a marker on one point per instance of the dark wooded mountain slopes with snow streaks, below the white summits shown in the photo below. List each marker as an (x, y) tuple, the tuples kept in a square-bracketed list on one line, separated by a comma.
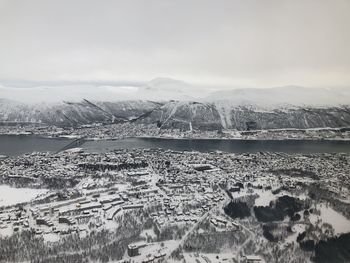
[(176, 114)]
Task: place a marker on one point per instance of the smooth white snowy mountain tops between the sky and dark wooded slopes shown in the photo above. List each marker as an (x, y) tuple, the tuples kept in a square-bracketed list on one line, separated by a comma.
[(163, 89)]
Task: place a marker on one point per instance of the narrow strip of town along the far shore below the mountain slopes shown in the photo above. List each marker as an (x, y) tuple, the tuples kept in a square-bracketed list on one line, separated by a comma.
[(101, 131)]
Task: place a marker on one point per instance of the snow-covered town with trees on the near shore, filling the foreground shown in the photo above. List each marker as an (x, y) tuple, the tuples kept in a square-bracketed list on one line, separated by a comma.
[(155, 205)]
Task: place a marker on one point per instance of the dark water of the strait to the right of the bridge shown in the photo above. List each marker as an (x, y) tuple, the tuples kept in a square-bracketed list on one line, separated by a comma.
[(234, 146)]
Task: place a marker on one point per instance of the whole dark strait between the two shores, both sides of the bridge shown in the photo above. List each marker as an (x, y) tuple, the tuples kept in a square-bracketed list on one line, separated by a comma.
[(16, 145)]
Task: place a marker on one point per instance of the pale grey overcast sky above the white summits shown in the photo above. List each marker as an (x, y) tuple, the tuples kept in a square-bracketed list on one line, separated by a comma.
[(226, 43)]
